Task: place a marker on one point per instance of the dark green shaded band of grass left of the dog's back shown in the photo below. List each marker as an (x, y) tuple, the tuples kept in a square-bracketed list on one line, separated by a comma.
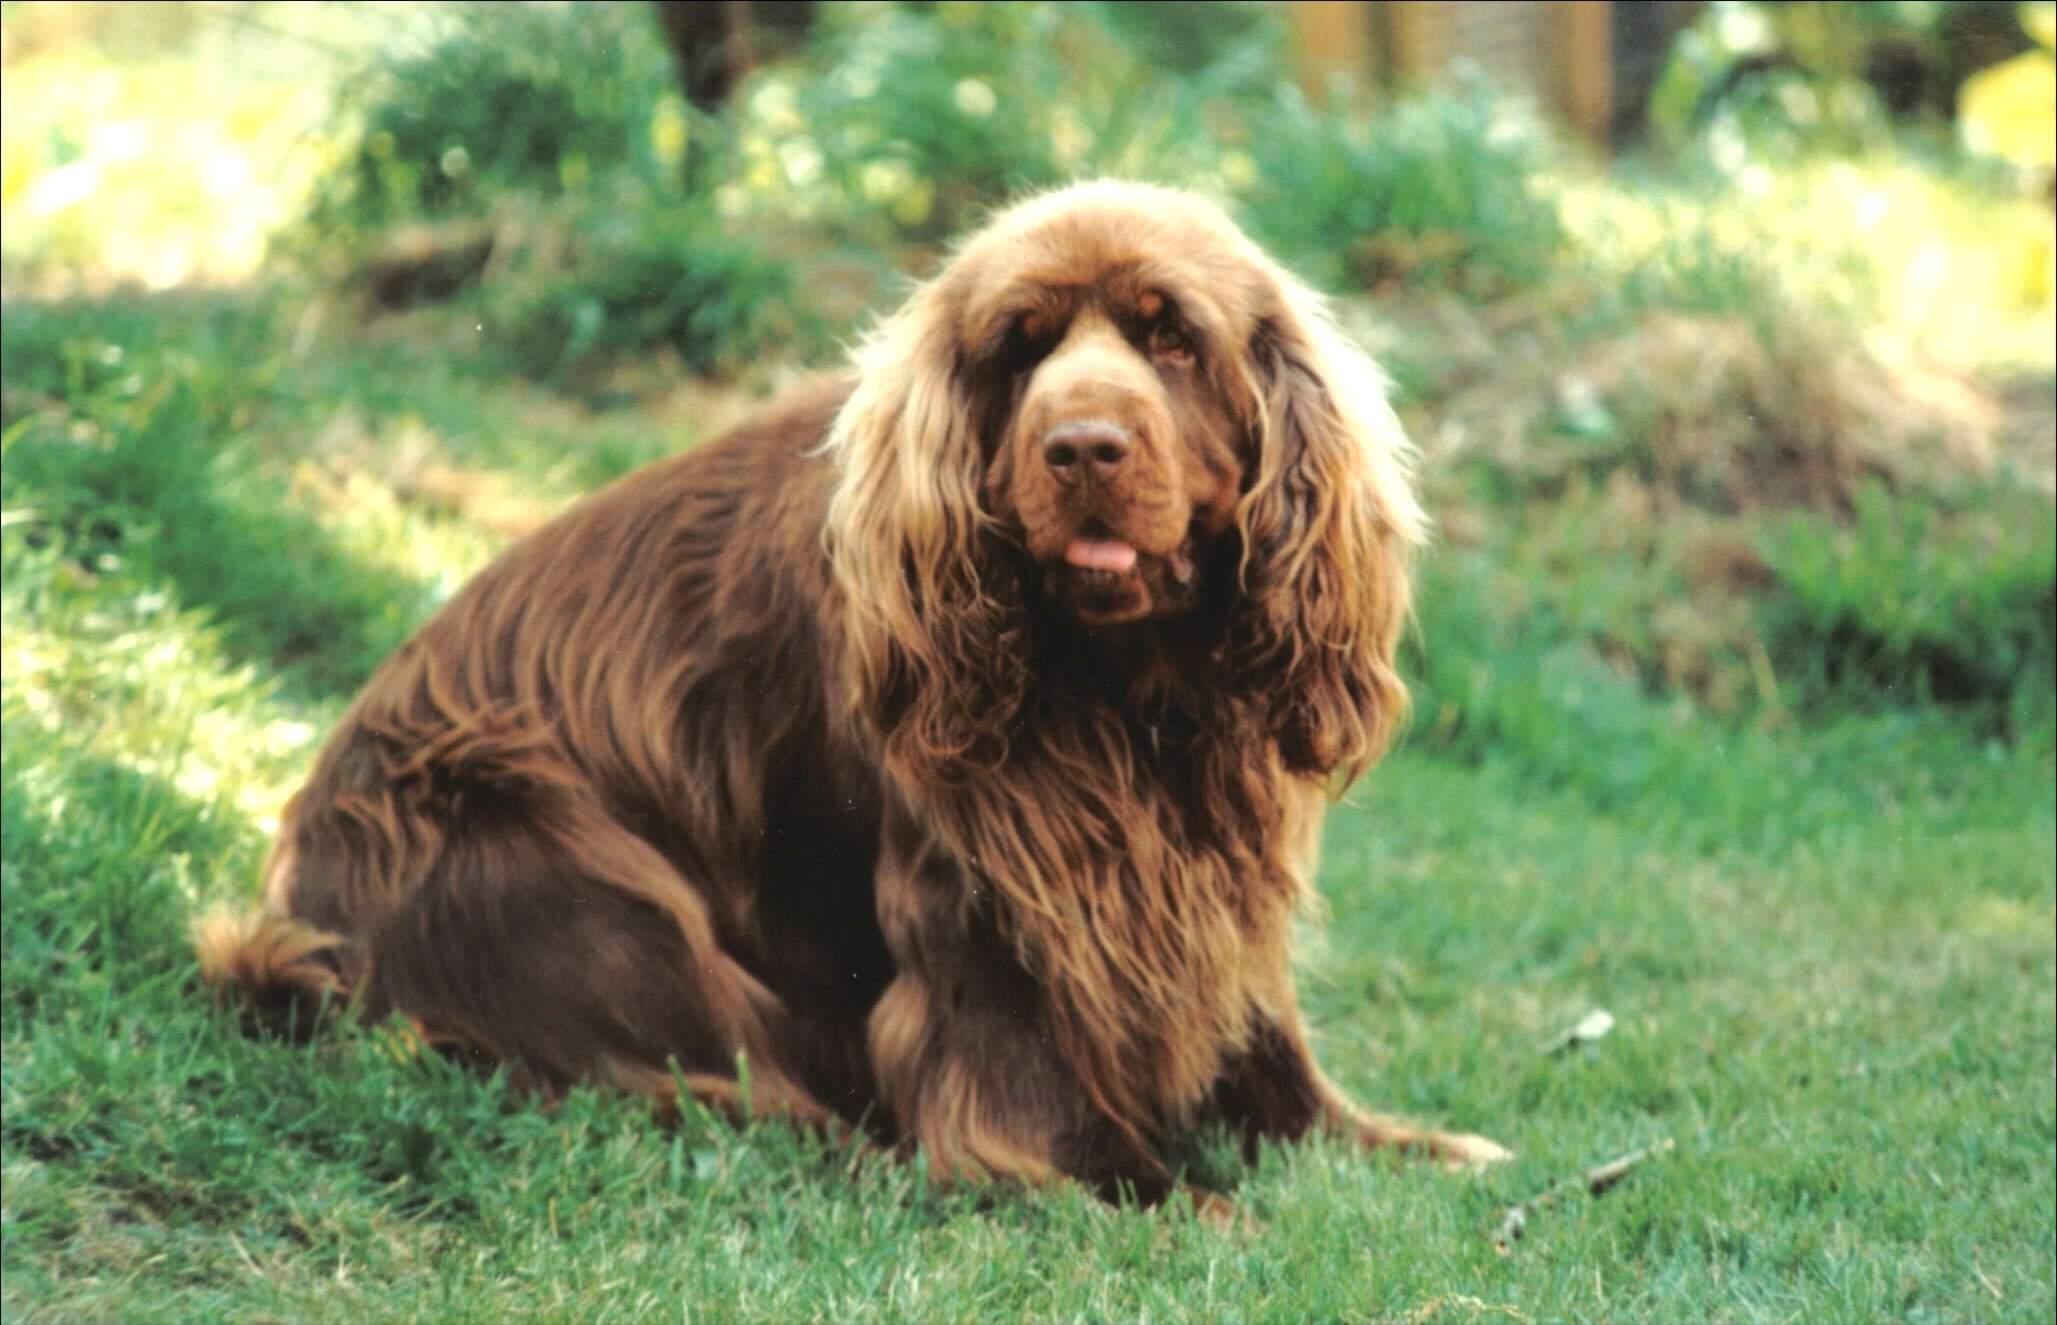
[(129, 443)]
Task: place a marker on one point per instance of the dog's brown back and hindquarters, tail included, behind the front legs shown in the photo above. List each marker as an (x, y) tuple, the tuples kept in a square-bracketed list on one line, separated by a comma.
[(528, 832)]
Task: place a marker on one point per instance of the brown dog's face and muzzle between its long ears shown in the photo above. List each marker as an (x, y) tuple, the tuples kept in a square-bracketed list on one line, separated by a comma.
[(1114, 425)]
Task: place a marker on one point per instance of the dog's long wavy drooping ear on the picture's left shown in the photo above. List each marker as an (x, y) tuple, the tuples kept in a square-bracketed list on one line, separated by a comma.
[(931, 661)]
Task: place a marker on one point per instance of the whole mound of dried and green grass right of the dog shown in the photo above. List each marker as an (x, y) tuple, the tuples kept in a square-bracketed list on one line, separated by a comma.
[(1657, 493)]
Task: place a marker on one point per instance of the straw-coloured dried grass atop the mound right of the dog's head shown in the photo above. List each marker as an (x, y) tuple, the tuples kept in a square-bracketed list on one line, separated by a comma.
[(1710, 410)]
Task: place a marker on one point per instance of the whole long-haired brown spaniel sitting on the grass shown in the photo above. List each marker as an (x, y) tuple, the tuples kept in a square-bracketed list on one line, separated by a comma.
[(949, 744)]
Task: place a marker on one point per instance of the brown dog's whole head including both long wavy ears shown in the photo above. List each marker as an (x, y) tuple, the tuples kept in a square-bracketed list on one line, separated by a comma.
[(1108, 410)]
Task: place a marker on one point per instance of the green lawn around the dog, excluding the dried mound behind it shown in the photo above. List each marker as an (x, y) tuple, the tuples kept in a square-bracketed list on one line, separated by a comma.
[(1828, 941)]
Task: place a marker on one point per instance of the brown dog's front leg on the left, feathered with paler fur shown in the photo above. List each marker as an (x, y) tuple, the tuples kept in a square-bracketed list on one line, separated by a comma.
[(962, 1042)]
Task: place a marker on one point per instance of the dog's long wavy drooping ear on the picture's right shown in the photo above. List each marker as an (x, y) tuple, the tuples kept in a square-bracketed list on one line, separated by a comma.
[(1330, 528)]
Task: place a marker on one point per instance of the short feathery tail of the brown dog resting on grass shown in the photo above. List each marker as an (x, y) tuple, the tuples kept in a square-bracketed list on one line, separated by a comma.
[(281, 970)]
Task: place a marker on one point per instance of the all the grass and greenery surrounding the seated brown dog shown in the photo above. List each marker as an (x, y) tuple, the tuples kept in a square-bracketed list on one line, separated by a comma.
[(1733, 678)]
